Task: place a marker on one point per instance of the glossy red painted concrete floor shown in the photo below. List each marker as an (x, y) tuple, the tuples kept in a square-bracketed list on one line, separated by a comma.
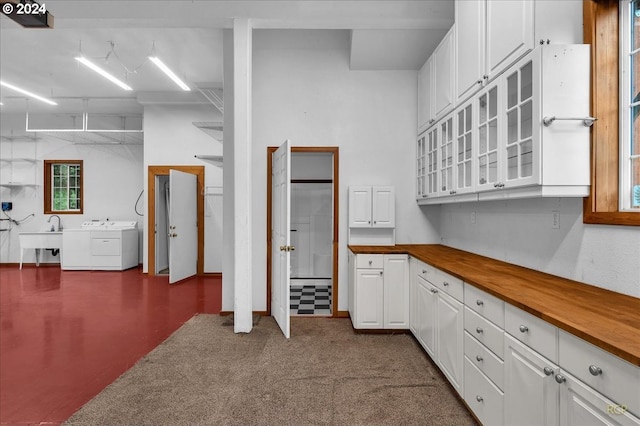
[(66, 335)]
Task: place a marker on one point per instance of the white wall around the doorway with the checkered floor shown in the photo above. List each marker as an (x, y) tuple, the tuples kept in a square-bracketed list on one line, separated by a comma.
[(303, 90)]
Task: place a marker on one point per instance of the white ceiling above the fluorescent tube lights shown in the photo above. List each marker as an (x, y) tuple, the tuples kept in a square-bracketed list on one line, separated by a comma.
[(119, 35)]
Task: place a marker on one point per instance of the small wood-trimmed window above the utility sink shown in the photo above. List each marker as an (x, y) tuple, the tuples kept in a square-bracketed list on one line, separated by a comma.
[(63, 187)]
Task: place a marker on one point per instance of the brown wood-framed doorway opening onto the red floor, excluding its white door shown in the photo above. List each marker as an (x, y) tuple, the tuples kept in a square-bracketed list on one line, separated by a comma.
[(157, 181)]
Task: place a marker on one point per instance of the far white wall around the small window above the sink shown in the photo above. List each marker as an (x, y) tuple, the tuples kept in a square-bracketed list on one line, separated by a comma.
[(112, 183)]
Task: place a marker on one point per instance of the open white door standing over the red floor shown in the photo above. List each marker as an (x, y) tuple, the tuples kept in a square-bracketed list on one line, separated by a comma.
[(183, 225)]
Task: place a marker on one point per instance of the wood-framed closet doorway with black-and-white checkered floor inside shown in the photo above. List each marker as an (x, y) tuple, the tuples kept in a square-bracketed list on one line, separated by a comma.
[(314, 231)]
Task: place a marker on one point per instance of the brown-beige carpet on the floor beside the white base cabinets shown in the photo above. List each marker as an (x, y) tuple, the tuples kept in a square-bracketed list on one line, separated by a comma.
[(324, 375)]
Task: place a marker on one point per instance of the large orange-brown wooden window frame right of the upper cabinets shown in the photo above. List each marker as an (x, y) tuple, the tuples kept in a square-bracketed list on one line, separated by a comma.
[(601, 30)]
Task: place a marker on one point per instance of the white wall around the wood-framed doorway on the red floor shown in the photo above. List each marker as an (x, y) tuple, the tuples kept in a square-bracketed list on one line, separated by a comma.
[(170, 138)]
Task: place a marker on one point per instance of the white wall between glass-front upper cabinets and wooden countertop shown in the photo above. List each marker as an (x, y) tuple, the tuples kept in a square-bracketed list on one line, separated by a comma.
[(520, 232)]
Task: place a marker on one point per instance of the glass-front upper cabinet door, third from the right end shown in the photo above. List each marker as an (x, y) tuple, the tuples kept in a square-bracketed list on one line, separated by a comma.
[(464, 149)]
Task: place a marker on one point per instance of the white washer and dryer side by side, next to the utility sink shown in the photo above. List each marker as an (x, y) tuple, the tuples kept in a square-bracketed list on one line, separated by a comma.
[(101, 245)]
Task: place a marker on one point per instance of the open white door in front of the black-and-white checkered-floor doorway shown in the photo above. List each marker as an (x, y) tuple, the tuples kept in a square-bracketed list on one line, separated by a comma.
[(281, 239)]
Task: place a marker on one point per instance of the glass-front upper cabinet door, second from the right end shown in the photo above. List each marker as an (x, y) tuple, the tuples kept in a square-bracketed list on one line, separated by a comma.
[(488, 131)]
